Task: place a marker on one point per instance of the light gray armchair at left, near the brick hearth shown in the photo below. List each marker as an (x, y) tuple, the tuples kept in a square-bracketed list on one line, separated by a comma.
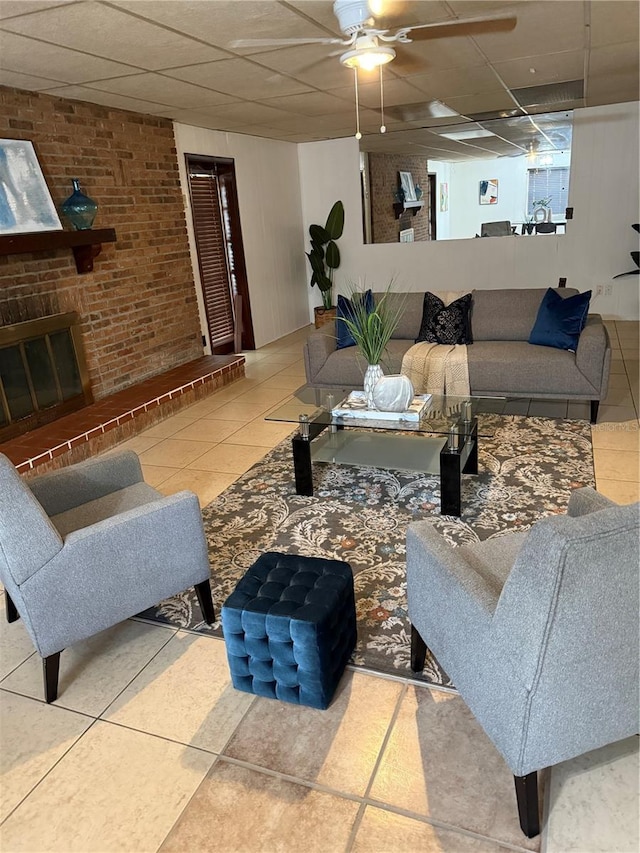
[(90, 545)]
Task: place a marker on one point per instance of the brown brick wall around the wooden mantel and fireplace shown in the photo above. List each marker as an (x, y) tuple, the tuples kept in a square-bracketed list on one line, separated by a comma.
[(138, 307)]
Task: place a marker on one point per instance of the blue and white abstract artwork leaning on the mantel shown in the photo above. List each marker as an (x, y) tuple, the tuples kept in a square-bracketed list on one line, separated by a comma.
[(25, 202)]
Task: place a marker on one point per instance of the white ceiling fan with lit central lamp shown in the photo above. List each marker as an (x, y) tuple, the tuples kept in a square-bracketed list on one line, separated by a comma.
[(369, 47)]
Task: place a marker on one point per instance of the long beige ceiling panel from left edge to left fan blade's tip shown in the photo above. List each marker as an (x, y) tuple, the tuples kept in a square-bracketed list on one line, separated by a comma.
[(112, 34)]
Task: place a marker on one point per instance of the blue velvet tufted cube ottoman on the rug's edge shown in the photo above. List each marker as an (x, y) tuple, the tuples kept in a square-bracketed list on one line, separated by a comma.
[(289, 628)]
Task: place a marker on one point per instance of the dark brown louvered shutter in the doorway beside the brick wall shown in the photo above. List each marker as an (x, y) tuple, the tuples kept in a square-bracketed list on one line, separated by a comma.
[(212, 257)]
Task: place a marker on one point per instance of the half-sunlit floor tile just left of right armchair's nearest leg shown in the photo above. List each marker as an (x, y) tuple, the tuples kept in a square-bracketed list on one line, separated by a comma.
[(439, 763)]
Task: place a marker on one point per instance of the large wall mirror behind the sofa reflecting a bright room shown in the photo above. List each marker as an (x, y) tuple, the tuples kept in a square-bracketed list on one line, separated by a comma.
[(527, 157)]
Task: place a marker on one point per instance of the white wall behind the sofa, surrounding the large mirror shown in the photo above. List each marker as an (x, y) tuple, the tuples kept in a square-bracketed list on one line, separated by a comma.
[(603, 190)]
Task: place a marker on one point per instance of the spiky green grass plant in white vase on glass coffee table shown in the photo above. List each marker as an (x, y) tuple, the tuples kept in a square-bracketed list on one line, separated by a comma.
[(371, 329)]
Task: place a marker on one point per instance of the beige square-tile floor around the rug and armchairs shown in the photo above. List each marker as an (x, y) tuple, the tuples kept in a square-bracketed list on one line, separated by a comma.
[(149, 748)]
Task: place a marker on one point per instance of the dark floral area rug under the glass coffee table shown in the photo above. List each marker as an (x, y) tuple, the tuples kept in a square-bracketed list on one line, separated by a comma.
[(360, 515)]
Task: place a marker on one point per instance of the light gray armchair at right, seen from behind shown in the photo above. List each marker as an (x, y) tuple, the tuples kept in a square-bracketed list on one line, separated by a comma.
[(538, 631)]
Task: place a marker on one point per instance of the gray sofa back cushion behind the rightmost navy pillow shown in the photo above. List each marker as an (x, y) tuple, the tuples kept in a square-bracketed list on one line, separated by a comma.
[(509, 314)]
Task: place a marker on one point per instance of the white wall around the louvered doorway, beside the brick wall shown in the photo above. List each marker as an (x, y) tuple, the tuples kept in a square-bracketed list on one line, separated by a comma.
[(269, 197)]
